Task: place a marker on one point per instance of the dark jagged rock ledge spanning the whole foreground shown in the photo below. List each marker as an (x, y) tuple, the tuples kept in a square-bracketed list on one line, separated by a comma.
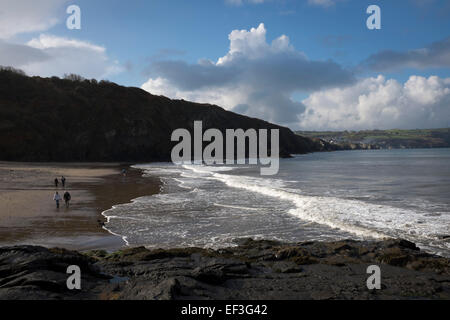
[(252, 270)]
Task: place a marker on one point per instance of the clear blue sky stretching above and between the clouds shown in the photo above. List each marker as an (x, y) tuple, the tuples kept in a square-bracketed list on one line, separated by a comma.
[(135, 31)]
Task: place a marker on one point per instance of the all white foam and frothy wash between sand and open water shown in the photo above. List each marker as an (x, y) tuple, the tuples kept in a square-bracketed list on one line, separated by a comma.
[(364, 219)]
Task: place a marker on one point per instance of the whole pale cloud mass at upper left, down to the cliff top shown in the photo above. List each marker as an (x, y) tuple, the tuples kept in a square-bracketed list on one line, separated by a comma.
[(47, 55)]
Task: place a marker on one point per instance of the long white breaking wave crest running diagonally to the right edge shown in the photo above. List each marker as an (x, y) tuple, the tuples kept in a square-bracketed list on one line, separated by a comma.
[(360, 218)]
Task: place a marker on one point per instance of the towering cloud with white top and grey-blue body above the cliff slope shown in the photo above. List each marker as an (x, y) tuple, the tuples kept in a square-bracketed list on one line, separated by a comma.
[(255, 77)]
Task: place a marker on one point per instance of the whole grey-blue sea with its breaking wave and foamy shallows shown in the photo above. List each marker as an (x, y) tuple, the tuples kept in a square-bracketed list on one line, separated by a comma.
[(326, 196)]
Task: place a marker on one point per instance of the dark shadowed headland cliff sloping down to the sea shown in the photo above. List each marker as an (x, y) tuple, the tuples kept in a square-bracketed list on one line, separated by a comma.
[(50, 119)]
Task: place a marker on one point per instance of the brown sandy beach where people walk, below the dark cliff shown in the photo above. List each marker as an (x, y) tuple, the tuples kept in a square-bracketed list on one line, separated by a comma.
[(28, 214)]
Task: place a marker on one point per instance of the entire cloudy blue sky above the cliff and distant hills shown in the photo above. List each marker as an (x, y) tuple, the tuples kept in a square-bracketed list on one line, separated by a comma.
[(305, 64)]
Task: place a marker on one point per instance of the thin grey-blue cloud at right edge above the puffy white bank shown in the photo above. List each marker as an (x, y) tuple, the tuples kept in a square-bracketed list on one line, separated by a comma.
[(436, 55)]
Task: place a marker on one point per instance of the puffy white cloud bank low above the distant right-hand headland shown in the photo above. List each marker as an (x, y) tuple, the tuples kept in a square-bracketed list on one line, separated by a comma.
[(378, 103)]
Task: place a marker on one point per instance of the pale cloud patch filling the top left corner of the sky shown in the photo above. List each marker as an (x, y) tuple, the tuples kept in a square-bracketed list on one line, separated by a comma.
[(19, 16)]
